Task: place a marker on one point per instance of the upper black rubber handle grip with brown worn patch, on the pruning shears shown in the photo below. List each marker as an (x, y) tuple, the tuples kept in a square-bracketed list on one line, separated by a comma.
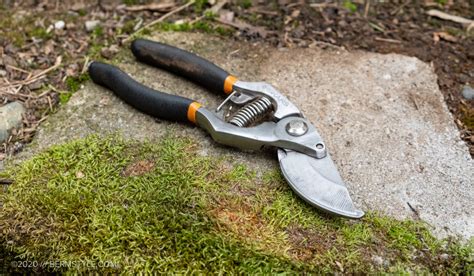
[(182, 63)]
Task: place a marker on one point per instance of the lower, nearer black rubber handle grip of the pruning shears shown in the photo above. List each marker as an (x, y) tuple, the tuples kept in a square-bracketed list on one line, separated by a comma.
[(147, 100)]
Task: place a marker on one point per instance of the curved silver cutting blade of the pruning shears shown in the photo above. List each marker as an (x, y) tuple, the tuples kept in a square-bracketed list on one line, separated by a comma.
[(318, 182)]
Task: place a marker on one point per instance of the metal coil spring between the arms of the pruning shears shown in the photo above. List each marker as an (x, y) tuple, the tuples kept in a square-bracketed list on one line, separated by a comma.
[(251, 112)]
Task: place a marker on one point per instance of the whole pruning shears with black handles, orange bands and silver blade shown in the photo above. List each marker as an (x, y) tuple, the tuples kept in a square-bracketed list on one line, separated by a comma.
[(254, 115)]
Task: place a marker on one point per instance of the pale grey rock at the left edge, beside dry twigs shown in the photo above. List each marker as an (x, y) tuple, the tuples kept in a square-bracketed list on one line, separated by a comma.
[(10, 117)]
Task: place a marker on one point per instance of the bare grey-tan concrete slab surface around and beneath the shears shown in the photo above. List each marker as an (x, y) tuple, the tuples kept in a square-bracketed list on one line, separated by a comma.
[(382, 117)]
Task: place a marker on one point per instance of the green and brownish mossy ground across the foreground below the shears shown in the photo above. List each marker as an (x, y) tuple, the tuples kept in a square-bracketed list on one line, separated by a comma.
[(161, 207)]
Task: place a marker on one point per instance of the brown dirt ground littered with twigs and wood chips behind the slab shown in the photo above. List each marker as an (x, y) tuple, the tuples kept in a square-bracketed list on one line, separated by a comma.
[(31, 43)]
